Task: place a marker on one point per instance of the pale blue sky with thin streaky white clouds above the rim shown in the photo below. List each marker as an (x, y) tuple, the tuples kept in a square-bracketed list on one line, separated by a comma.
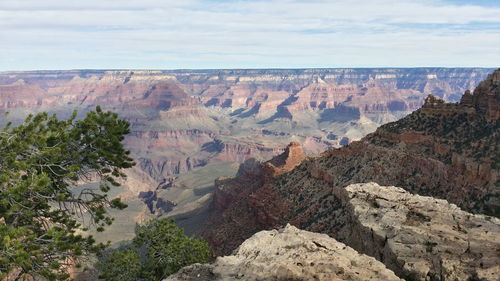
[(203, 34)]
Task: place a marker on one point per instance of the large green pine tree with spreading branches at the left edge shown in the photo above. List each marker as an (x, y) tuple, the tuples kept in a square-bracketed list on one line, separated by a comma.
[(41, 161)]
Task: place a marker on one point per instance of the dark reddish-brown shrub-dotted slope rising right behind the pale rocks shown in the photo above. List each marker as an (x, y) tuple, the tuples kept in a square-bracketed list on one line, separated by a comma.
[(444, 150)]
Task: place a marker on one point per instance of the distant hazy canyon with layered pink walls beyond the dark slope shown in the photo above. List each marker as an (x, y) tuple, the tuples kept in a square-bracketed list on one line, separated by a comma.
[(191, 126)]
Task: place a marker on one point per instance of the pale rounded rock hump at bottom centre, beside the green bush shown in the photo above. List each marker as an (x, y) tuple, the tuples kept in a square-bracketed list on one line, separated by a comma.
[(290, 254)]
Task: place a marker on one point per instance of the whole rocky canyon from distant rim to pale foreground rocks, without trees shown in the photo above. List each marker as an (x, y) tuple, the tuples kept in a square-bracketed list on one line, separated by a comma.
[(316, 174)]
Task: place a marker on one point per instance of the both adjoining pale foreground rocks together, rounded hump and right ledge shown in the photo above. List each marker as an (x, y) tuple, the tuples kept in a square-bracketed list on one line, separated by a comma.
[(418, 238)]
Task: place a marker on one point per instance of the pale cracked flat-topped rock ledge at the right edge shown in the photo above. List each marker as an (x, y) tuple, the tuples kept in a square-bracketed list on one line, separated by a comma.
[(420, 238)]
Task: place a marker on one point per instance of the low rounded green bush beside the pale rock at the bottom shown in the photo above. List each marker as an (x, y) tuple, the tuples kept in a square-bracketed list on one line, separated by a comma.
[(159, 249)]
